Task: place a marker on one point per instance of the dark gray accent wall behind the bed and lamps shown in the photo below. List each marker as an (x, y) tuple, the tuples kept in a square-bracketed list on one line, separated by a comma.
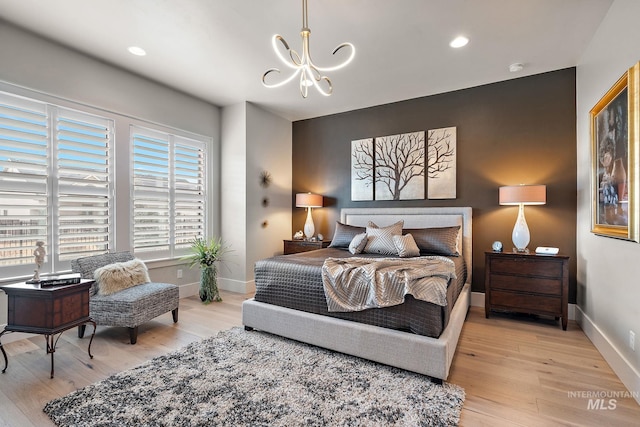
[(520, 131)]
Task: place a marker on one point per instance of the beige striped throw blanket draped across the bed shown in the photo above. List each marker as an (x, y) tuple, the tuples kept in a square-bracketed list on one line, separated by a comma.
[(356, 284)]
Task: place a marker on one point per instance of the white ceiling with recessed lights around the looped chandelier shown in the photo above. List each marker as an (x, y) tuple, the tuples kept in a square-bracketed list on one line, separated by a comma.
[(217, 50)]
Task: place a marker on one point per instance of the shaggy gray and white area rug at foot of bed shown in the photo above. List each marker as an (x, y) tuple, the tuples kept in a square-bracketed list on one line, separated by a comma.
[(241, 378)]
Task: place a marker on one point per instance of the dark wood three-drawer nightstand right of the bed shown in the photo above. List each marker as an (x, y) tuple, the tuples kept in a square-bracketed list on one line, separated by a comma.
[(527, 283)]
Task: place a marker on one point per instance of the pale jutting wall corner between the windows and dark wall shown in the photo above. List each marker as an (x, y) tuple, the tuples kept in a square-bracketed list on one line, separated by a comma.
[(253, 141)]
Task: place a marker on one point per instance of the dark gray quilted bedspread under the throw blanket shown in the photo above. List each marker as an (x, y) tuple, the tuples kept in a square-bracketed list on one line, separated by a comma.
[(295, 281)]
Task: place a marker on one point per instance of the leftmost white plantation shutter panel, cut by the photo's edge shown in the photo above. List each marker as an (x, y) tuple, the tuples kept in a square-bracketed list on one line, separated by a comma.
[(24, 148)]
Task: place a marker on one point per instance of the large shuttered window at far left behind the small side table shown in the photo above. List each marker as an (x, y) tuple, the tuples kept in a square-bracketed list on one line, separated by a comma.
[(56, 184)]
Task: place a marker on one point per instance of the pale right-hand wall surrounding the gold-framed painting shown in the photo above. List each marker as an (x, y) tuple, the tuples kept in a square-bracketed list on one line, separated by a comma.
[(608, 295)]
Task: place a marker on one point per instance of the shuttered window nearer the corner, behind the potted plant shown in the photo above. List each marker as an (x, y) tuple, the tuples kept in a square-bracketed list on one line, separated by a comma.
[(169, 197)]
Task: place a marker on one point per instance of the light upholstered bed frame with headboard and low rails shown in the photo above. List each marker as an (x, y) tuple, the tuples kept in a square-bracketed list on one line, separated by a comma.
[(418, 353)]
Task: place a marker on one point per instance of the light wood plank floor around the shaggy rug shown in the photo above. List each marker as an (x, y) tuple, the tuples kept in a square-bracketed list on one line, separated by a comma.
[(516, 370)]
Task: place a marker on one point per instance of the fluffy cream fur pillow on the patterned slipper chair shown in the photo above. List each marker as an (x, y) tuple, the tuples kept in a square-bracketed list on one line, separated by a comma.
[(120, 275)]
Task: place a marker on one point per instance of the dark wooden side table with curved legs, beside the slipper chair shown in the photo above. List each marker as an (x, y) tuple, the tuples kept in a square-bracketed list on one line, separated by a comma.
[(48, 311)]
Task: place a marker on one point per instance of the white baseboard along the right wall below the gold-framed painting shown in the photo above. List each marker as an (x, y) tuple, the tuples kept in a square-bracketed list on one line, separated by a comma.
[(629, 376)]
